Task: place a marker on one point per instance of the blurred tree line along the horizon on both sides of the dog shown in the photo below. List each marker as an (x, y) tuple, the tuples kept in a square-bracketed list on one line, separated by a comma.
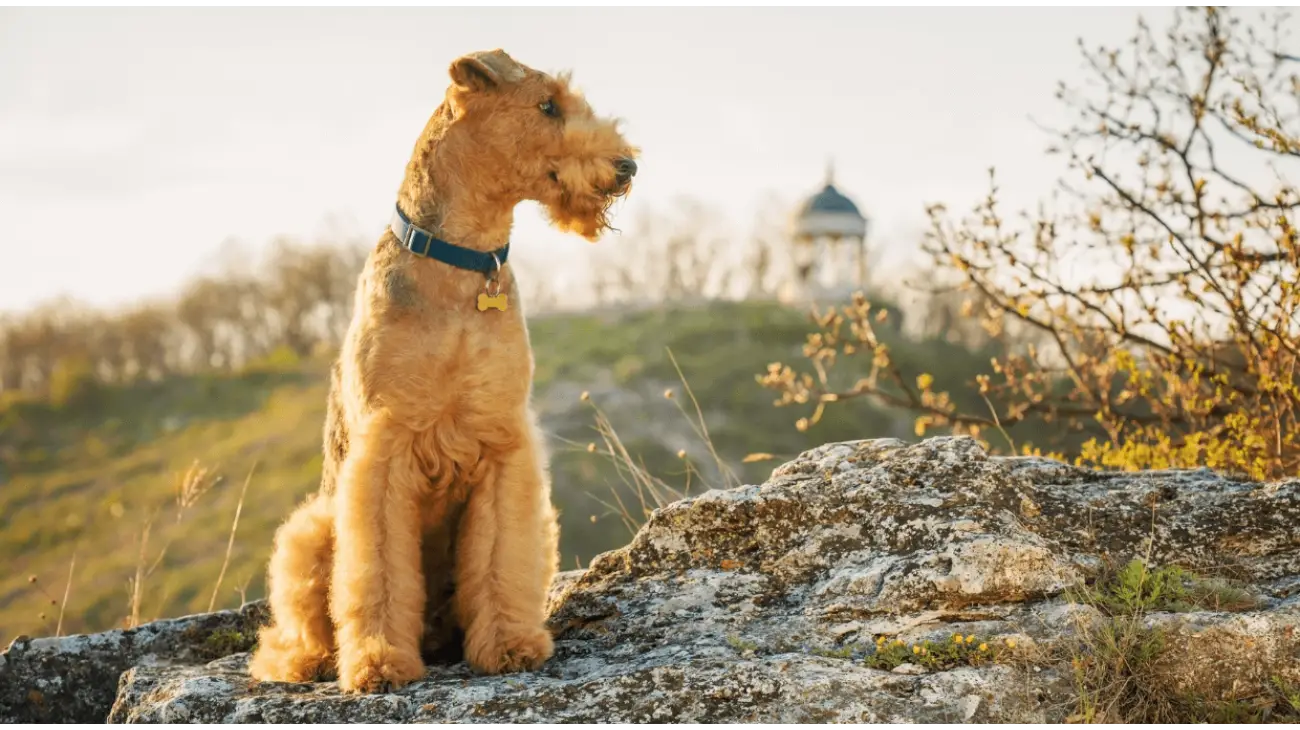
[(297, 299)]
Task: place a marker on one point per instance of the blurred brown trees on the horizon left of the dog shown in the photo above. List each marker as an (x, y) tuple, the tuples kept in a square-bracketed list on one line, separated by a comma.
[(301, 298)]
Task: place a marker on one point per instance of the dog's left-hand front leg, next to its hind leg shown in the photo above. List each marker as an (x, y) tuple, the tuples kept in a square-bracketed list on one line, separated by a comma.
[(378, 598)]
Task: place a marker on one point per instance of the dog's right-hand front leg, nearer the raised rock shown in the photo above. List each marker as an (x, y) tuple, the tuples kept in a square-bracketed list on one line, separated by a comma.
[(506, 560)]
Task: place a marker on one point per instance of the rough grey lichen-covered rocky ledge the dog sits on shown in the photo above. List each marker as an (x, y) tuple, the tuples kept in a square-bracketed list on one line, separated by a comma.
[(794, 602)]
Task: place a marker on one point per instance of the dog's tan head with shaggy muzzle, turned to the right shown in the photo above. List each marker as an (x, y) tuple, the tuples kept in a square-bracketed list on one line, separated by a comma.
[(540, 140)]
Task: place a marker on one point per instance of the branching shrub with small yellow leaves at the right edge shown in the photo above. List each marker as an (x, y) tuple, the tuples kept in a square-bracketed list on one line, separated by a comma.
[(1164, 283)]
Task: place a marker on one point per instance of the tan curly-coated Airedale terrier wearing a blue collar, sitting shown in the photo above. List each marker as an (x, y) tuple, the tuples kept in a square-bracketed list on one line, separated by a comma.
[(434, 522)]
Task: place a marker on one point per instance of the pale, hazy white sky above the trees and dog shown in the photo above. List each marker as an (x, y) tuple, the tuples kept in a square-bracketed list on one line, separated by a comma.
[(140, 140)]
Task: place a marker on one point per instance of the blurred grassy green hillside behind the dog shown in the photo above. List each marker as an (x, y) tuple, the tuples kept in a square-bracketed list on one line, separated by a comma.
[(86, 476)]
